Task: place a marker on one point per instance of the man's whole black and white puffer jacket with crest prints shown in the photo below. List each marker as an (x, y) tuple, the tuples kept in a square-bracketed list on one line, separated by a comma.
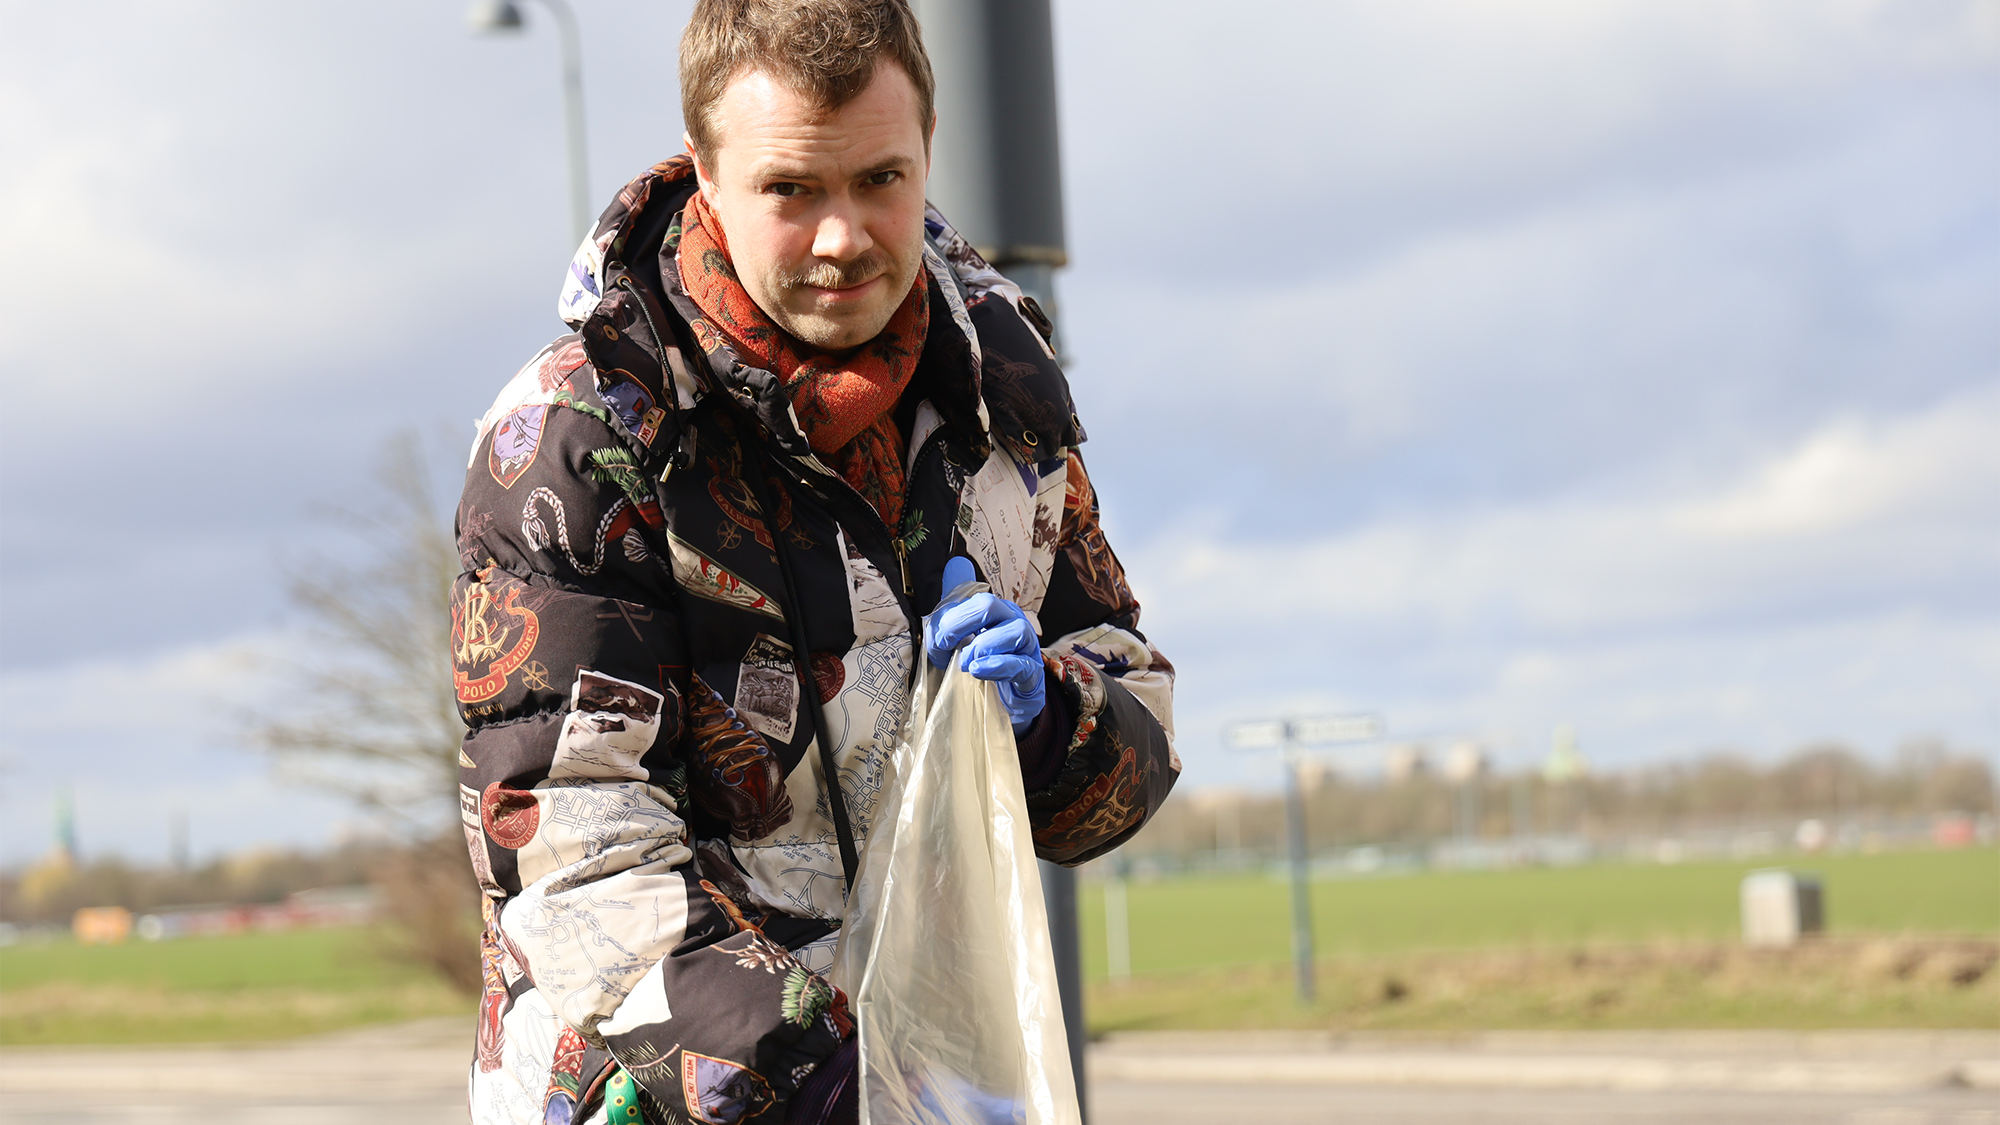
[(675, 628)]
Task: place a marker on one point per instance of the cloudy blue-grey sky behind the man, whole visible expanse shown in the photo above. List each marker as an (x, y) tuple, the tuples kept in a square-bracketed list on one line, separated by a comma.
[(1631, 365)]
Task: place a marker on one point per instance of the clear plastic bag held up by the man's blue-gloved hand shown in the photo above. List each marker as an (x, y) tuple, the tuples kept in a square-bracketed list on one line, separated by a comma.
[(945, 950)]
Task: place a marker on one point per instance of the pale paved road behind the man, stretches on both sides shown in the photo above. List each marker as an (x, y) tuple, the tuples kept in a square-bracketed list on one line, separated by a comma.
[(415, 1074)]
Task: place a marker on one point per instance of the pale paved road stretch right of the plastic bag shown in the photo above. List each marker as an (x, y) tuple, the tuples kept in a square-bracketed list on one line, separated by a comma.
[(1513, 1078)]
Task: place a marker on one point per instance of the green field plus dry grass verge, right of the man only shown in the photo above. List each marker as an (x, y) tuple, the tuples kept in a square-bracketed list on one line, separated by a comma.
[(1913, 942)]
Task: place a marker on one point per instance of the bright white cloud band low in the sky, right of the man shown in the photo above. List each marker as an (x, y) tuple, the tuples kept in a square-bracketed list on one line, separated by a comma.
[(1835, 517)]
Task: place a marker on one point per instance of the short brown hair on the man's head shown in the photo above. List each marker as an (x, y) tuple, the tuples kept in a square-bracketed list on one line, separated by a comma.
[(821, 49)]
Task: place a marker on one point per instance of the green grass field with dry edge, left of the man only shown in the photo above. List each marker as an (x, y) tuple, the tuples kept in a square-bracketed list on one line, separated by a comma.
[(247, 988)]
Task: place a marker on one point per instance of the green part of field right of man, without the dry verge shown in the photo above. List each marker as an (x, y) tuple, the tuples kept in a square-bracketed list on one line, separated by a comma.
[(1245, 920)]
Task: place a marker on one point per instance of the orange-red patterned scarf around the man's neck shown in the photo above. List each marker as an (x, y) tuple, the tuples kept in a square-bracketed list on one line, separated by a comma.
[(845, 405)]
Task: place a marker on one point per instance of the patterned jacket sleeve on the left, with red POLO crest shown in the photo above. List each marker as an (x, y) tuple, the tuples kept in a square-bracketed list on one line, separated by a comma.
[(571, 674)]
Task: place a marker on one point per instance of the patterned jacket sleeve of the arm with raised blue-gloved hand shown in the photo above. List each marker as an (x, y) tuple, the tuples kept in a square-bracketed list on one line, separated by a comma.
[(1117, 690)]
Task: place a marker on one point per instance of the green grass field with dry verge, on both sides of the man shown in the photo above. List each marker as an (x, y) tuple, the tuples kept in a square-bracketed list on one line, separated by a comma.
[(1605, 946)]
